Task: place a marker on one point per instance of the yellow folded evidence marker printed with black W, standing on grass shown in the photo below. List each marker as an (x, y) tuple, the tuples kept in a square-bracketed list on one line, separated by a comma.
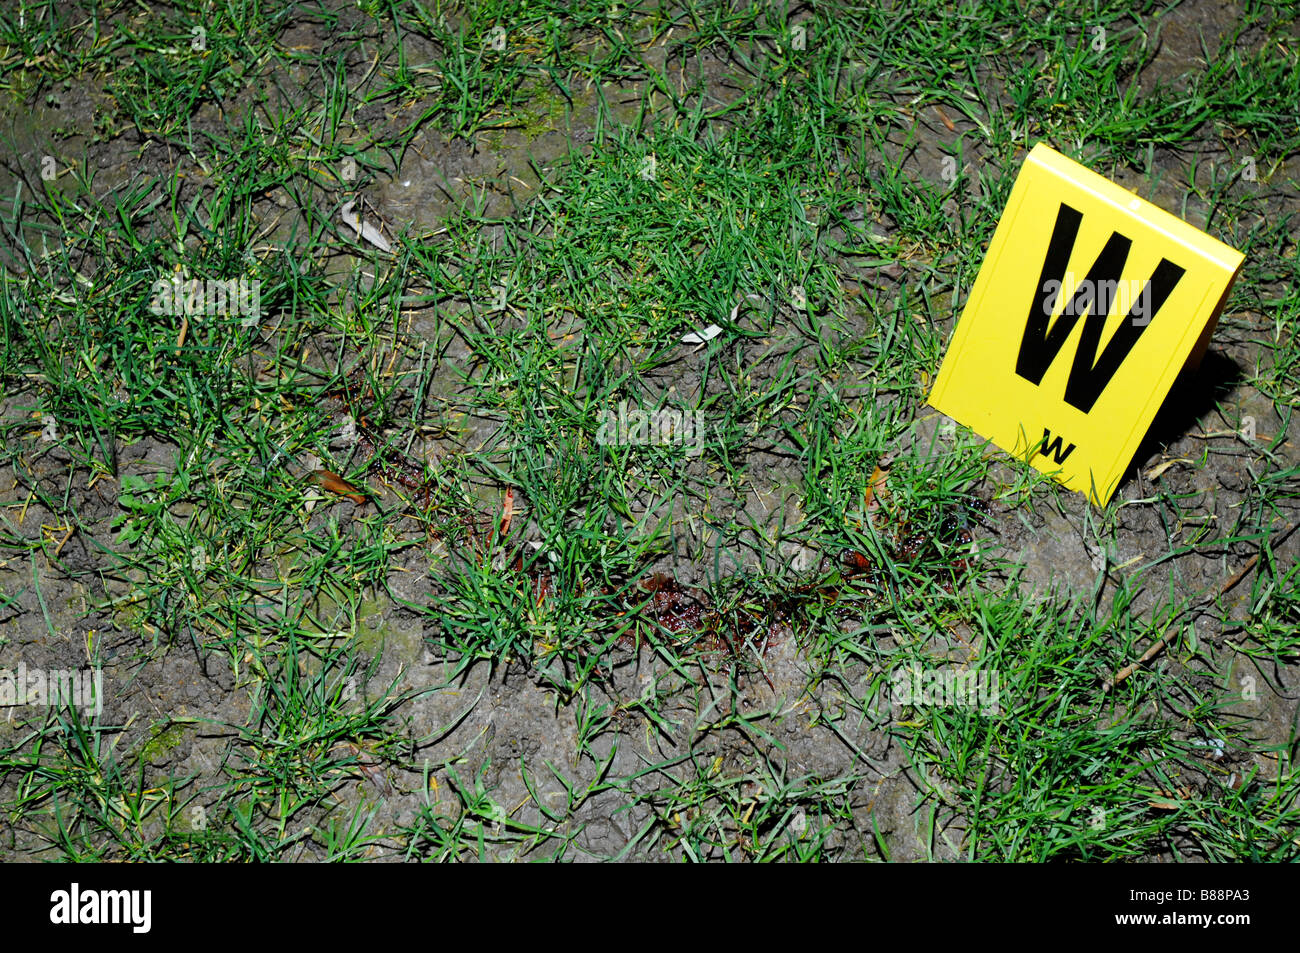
[(1090, 304)]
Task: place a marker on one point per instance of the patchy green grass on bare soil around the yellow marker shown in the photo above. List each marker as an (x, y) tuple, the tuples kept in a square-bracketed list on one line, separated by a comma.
[(770, 203)]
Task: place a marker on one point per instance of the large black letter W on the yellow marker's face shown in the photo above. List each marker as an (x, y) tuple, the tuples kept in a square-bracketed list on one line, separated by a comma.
[(1039, 348)]
